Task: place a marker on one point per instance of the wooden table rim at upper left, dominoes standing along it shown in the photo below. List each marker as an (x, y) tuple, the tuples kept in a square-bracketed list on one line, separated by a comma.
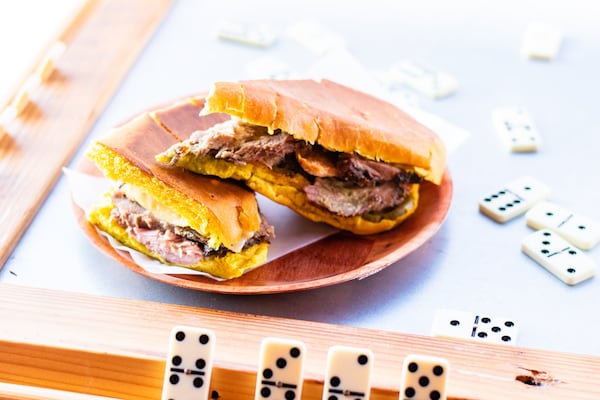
[(102, 42)]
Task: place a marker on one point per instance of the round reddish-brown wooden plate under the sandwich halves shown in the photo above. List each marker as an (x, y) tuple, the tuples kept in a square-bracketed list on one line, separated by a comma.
[(335, 259)]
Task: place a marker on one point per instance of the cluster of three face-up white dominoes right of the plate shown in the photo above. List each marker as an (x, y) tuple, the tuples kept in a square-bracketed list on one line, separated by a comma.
[(560, 234)]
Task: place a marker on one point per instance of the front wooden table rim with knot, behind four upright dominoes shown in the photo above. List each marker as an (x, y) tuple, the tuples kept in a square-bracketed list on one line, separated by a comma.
[(116, 348)]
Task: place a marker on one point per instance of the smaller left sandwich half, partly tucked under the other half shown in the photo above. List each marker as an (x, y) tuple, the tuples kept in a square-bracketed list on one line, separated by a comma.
[(172, 215)]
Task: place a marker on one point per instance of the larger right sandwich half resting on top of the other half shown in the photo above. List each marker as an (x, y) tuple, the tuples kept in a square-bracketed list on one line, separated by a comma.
[(329, 152)]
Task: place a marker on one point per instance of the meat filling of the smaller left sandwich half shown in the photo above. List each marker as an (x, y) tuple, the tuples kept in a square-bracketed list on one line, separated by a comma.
[(167, 235)]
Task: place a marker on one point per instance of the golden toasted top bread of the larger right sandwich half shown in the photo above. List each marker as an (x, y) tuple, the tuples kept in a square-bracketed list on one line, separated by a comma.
[(336, 117)]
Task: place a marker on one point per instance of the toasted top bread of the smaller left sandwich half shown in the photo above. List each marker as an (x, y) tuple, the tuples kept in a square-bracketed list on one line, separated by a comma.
[(224, 212)]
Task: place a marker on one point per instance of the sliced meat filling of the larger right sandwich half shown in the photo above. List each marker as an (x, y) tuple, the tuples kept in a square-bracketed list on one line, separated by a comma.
[(347, 185)]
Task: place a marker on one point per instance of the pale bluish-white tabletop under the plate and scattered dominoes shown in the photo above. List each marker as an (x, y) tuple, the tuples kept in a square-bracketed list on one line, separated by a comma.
[(472, 264)]
